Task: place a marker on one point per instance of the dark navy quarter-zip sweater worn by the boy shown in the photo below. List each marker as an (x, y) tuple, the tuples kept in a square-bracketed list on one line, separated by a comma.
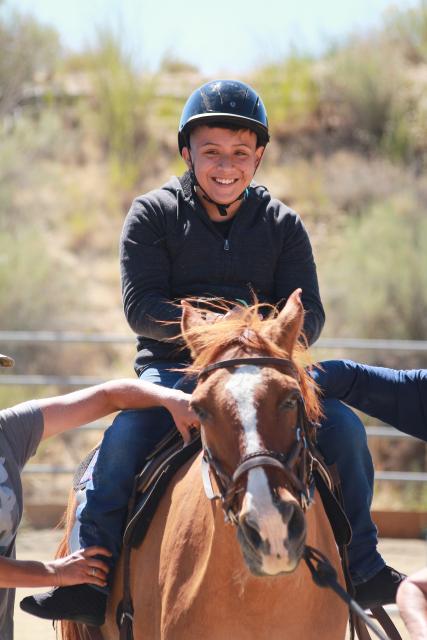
[(170, 250)]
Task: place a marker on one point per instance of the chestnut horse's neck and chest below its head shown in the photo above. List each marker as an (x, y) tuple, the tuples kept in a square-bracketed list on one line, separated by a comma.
[(190, 570)]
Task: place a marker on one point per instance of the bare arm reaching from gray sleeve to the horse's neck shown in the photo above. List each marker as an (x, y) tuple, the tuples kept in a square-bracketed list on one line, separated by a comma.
[(62, 413)]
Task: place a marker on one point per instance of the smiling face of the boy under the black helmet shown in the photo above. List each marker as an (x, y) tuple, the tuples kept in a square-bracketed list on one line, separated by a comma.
[(224, 162)]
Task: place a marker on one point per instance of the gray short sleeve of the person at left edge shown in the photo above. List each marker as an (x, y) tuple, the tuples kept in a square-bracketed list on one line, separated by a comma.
[(22, 426)]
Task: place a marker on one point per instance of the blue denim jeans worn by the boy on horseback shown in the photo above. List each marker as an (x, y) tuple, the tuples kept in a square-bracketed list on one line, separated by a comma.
[(133, 435)]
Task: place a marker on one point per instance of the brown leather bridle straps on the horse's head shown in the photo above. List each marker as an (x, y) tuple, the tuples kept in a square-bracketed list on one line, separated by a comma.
[(296, 465)]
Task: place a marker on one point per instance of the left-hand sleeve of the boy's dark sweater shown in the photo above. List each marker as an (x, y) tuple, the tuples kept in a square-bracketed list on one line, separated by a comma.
[(145, 274)]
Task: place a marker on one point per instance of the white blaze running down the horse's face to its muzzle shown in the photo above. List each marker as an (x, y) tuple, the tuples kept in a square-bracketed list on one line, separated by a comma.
[(259, 510)]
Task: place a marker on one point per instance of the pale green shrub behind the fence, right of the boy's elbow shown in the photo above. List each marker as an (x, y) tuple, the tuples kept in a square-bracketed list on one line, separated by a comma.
[(374, 275)]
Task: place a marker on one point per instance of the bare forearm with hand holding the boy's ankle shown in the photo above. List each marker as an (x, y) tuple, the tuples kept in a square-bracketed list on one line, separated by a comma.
[(80, 567)]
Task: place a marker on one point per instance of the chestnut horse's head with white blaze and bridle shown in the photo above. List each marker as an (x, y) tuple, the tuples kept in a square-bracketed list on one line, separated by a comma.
[(254, 403)]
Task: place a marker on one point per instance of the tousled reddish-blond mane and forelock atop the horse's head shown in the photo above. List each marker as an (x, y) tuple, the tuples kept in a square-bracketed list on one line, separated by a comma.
[(244, 329)]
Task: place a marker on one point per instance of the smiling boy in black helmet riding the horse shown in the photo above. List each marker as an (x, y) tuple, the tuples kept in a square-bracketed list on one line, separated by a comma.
[(212, 233)]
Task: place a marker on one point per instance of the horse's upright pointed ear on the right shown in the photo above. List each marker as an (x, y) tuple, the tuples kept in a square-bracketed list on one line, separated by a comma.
[(287, 327)]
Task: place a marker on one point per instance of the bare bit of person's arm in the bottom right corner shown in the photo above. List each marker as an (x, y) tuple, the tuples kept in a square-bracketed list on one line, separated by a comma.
[(412, 602)]
